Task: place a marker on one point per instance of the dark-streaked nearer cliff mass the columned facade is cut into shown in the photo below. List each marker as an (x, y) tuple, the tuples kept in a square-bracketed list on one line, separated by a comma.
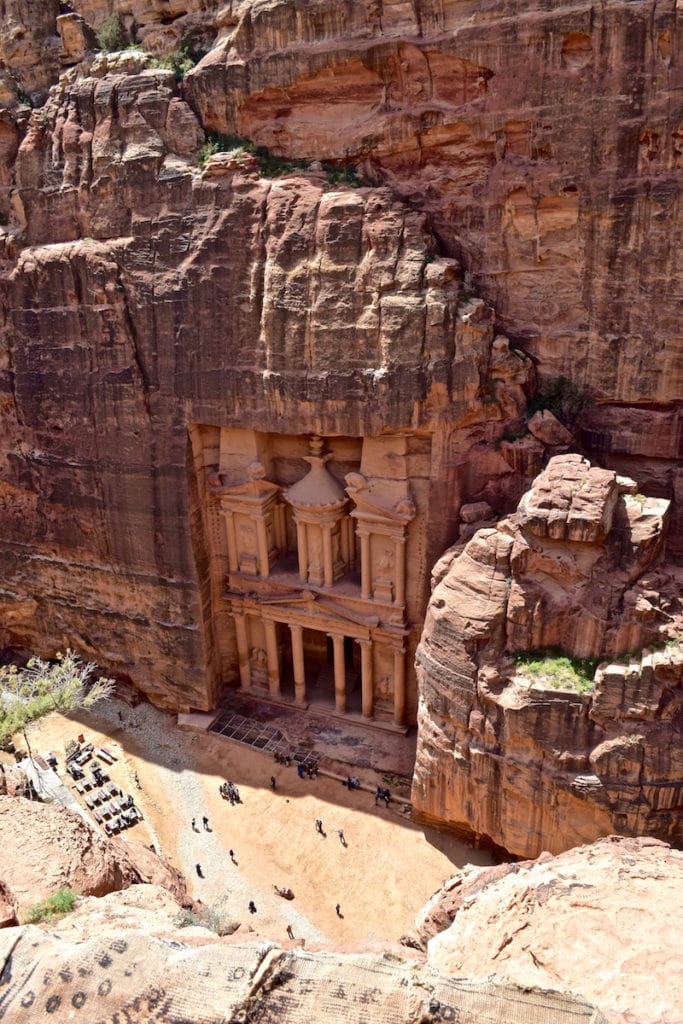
[(153, 296)]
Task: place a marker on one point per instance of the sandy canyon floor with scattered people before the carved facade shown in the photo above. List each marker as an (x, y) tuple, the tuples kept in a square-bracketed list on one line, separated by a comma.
[(387, 873)]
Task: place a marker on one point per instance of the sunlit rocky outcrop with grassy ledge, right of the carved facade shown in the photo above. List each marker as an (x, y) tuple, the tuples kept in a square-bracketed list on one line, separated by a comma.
[(506, 755)]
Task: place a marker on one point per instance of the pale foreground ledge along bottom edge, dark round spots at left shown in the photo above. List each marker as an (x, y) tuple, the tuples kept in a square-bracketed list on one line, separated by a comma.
[(180, 975)]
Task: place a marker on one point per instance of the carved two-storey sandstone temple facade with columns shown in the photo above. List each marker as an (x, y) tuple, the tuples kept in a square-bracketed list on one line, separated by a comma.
[(317, 572)]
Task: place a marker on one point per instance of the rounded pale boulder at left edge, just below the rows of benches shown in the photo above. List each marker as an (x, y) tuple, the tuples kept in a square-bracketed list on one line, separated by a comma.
[(59, 849)]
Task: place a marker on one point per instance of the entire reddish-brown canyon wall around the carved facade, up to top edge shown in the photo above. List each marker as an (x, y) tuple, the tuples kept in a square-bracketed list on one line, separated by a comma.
[(529, 154)]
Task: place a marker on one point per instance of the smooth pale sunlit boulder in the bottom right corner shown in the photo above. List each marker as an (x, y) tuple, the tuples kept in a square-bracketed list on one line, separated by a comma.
[(602, 921)]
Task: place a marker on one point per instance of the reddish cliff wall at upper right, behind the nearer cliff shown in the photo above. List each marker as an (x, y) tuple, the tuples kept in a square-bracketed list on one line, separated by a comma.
[(541, 140)]
